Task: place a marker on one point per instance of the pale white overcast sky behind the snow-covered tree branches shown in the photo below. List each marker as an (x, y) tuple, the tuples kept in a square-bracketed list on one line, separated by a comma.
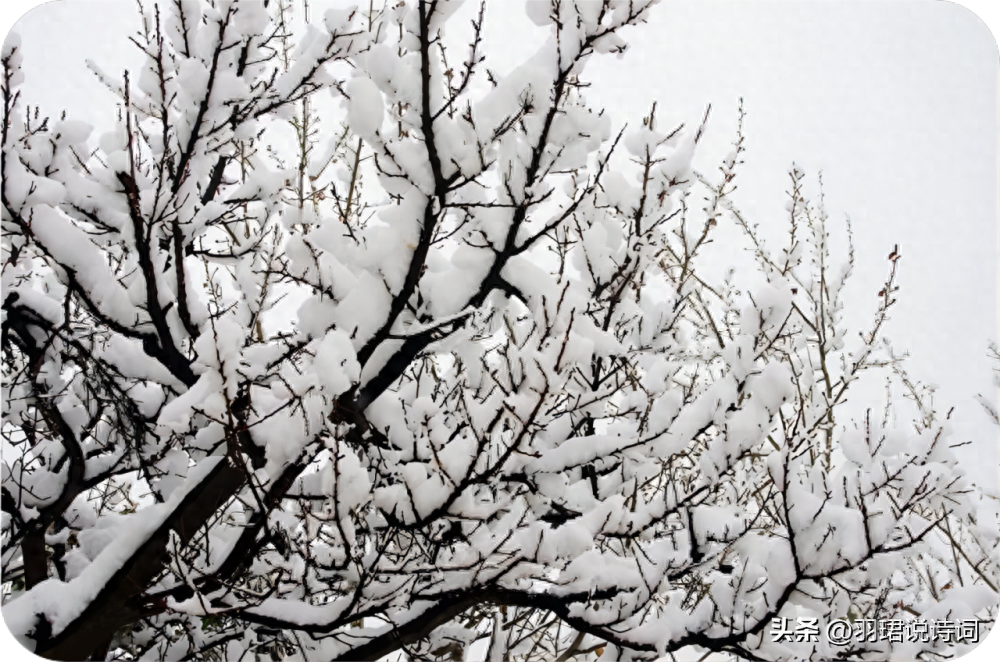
[(897, 102)]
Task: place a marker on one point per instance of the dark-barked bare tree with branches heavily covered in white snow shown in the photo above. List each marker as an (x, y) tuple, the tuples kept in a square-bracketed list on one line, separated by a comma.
[(513, 410)]
